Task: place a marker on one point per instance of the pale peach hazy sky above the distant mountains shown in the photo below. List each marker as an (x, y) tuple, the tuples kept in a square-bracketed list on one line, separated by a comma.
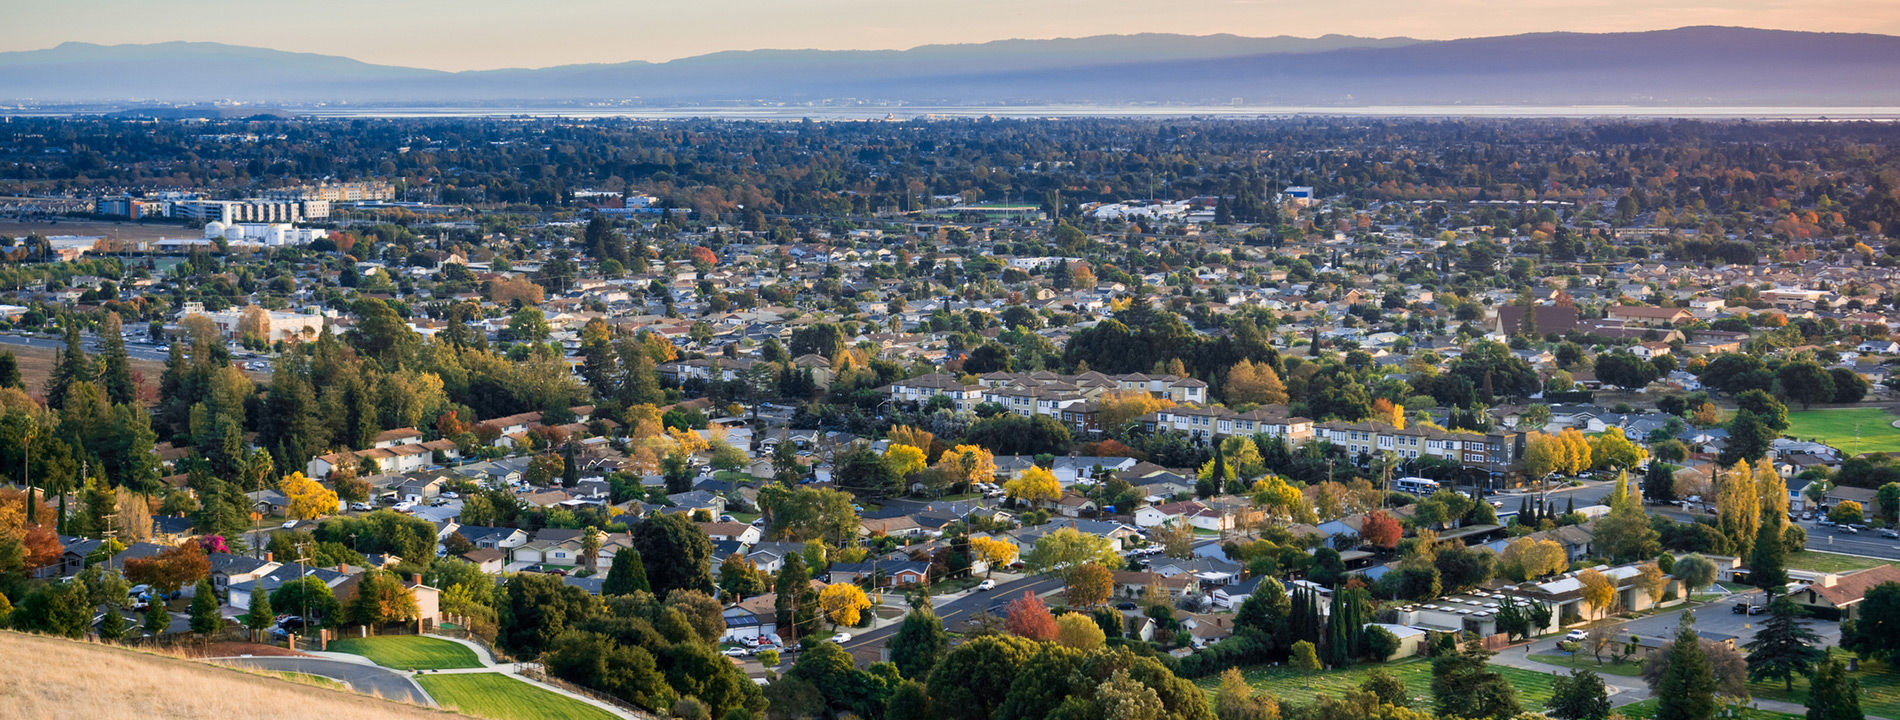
[(461, 35)]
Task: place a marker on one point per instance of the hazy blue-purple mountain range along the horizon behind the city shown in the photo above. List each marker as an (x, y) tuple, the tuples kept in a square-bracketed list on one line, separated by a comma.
[(1682, 67)]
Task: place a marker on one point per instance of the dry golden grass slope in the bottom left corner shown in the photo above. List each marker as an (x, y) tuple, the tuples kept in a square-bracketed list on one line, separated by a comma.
[(52, 679)]
